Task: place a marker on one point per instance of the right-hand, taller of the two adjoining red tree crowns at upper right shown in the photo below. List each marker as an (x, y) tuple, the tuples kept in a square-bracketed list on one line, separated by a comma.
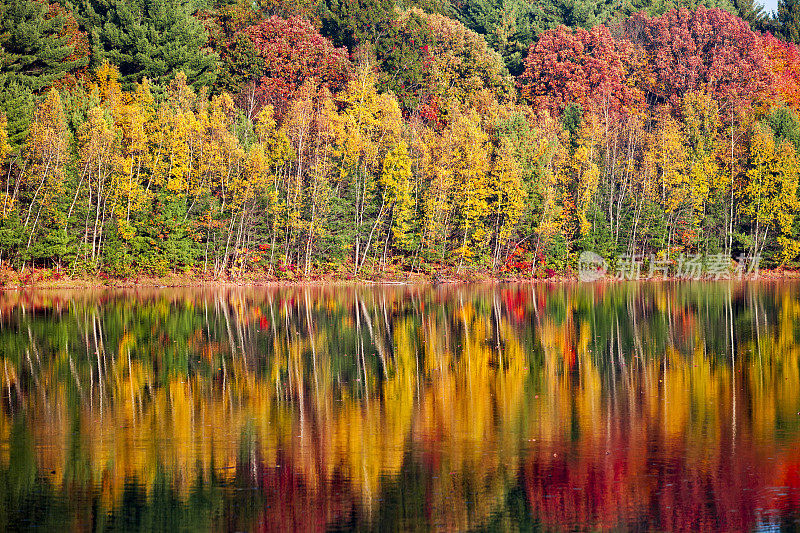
[(704, 49)]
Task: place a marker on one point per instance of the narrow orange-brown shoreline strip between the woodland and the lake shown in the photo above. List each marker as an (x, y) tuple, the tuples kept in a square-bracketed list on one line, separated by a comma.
[(46, 280)]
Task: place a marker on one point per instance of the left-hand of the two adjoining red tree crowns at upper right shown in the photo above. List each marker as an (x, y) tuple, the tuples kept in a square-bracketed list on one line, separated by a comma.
[(586, 67)]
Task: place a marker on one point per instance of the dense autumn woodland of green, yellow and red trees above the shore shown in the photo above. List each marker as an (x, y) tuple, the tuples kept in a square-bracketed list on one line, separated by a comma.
[(367, 137)]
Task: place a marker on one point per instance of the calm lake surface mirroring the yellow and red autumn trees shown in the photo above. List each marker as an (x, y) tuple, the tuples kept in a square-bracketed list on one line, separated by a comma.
[(633, 406)]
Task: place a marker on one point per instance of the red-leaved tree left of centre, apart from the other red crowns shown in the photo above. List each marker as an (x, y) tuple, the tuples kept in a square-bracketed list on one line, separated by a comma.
[(289, 52)]
